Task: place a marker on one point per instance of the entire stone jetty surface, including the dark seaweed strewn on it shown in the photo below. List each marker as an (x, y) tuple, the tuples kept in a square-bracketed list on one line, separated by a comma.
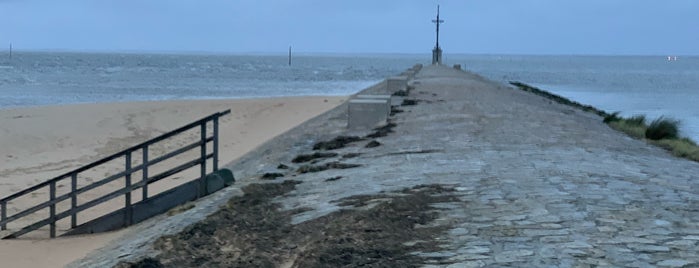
[(510, 178)]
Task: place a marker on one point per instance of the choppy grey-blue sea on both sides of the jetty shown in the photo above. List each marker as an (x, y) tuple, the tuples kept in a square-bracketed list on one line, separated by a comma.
[(653, 86)]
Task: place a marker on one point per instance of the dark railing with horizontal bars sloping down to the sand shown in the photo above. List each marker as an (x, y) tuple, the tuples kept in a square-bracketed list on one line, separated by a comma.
[(129, 186)]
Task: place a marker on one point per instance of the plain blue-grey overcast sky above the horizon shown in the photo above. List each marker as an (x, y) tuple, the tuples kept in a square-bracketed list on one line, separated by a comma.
[(630, 27)]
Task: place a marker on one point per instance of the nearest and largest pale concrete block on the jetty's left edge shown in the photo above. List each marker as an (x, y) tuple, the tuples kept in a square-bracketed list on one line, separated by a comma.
[(367, 113)]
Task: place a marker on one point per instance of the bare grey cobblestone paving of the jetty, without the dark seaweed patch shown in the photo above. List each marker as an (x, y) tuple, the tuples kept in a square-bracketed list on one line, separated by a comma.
[(540, 184)]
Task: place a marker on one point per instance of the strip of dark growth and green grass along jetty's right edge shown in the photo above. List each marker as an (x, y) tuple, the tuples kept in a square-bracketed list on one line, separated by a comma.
[(662, 132)]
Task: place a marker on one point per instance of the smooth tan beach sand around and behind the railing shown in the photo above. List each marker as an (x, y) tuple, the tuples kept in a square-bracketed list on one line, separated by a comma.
[(39, 143)]
